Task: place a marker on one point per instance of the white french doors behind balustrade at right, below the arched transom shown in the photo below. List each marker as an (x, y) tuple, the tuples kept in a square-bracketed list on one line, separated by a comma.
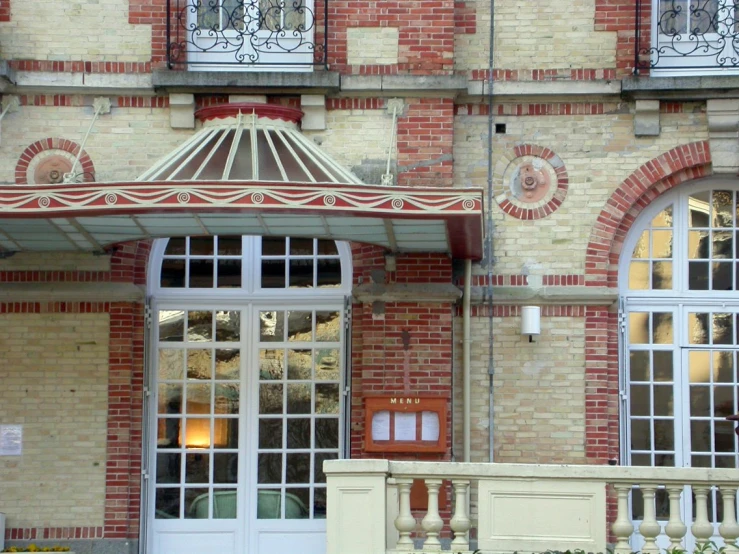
[(682, 379)]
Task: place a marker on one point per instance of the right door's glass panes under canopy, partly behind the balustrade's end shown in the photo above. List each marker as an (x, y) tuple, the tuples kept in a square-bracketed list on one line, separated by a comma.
[(299, 407)]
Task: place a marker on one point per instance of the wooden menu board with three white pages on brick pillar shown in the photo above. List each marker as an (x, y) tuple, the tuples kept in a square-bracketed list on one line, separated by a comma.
[(405, 424)]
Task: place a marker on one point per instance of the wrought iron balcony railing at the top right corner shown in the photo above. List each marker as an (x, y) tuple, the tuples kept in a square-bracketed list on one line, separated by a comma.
[(686, 36)]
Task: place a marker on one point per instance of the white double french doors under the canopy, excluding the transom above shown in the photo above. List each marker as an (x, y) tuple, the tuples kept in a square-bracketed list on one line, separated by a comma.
[(246, 401)]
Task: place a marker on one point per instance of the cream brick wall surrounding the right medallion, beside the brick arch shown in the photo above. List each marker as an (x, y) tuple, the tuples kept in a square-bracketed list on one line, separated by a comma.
[(599, 152)]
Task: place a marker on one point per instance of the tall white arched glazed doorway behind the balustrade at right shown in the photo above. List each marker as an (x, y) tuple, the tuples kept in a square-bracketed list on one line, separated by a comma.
[(679, 283)]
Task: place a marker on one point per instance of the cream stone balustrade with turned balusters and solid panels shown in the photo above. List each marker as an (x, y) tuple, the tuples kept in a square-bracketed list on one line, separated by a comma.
[(524, 508)]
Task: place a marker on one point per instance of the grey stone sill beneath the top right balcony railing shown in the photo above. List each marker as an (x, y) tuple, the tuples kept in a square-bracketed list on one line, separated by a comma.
[(680, 88)]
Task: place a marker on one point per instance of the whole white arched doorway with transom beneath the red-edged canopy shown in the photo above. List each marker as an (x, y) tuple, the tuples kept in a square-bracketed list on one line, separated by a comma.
[(246, 391)]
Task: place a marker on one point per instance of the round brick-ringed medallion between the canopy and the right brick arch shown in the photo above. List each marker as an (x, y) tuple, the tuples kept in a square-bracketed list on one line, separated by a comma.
[(530, 183)]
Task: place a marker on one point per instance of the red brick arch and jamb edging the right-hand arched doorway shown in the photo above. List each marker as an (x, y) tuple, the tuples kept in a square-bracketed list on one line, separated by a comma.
[(681, 164)]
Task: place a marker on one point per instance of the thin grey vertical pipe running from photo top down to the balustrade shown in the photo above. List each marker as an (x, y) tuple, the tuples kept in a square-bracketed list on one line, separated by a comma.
[(489, 237)]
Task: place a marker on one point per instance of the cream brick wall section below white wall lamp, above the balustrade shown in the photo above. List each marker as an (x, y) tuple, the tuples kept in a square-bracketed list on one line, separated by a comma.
[(539, 395)]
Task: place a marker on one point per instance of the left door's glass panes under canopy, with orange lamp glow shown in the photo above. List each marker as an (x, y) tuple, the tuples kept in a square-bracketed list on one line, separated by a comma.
[(198, 407)]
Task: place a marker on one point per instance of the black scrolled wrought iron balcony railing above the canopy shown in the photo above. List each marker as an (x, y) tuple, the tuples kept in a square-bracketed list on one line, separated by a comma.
[(232, 34)]
